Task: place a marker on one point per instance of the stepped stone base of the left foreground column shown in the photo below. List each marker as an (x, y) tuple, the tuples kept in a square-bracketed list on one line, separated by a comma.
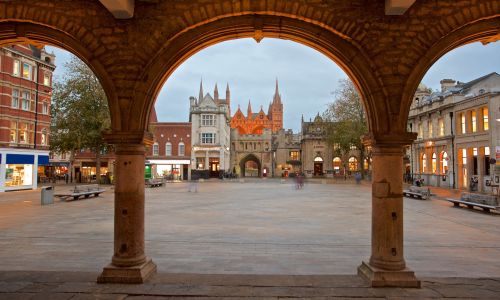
[(135, 274)]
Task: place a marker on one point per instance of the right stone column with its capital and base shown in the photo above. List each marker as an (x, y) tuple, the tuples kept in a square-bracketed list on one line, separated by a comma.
[(387, 266)]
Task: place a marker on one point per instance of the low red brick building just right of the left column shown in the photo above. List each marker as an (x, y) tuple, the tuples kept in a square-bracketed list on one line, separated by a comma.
[(170, 155)]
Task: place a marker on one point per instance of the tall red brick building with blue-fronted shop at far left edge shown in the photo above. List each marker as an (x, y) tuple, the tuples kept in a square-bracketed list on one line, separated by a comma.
[(26, 89)]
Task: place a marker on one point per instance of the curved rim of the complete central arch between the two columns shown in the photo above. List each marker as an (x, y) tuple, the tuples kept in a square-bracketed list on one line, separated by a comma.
[(349, 57)]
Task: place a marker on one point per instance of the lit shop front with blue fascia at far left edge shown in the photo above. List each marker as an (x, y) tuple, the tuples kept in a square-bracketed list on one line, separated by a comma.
[(20, 169)]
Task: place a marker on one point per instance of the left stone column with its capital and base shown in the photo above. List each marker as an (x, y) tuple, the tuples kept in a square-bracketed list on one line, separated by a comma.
[(129, 263)]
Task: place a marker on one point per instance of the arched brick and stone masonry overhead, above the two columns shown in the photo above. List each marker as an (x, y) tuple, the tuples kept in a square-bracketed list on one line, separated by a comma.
[(386, 56)]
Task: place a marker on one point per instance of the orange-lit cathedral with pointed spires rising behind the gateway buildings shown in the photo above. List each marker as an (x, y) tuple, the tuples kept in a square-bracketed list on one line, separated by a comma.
[(255, 123)]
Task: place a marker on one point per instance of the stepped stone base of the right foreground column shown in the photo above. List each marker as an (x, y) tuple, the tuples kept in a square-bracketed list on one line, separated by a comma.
[(382, 278)]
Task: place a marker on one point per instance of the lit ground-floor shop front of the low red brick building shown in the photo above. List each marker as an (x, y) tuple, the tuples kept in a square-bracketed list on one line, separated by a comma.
[(169, 169)]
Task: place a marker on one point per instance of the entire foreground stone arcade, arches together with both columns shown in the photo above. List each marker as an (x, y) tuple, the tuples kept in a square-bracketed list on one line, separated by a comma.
[(134, 46)]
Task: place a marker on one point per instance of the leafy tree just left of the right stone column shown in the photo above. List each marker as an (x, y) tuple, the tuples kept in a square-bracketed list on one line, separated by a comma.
[(346, 121)]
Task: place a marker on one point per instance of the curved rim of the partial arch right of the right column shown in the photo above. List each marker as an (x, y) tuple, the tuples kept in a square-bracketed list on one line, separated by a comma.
[(485, 30)]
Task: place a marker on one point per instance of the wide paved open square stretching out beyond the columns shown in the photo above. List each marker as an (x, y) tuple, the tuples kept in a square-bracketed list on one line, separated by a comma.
[(262, 227)]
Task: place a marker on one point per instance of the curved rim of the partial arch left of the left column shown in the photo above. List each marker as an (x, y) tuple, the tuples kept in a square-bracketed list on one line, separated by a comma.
[(12, 32)]
